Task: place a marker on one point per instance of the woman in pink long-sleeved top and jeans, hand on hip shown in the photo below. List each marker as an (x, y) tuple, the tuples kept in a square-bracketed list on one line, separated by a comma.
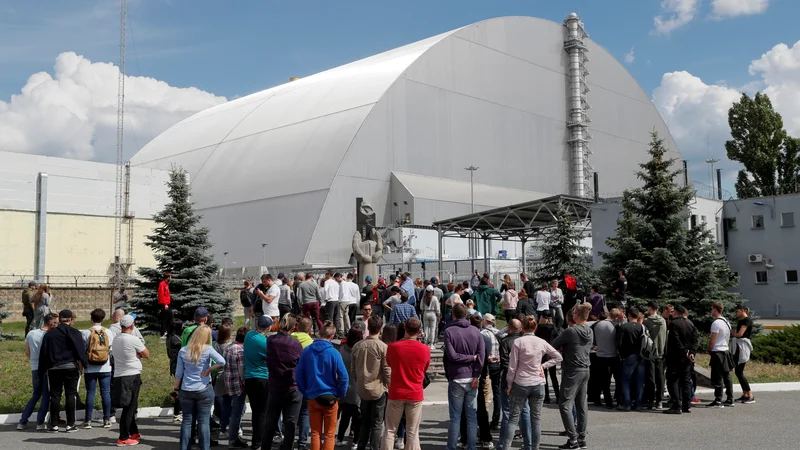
[(526, 379)]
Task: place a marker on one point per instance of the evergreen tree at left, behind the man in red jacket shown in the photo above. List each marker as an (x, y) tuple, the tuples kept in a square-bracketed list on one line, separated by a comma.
[(179, 244)]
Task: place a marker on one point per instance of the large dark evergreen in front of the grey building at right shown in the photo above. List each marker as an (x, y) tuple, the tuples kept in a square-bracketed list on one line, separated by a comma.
[(666, 260)]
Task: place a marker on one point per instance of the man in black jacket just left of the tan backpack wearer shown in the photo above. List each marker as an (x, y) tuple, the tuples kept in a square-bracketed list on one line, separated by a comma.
[(63, 356)]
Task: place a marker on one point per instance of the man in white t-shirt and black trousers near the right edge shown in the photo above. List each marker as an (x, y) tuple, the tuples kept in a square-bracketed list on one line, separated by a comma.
[(718, 349)]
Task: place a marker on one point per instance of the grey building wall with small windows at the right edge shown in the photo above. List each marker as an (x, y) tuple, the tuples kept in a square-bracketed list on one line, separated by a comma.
[(777, 244)]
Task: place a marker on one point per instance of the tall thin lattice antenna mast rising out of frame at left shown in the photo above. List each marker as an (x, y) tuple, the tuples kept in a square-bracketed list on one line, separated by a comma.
[(118, 210)]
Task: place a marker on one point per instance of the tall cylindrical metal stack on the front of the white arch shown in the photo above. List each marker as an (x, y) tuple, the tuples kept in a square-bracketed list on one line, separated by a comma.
[(581, 182)]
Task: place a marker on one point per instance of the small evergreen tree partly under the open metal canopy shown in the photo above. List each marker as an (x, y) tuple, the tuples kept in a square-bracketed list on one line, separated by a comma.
[(562, 250)]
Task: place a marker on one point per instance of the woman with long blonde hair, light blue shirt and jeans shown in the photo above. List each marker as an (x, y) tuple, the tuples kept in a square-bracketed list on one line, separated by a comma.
[(196, 361)]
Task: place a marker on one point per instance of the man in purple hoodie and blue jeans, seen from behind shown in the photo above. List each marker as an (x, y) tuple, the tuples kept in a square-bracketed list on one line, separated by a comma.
[(464, 354)]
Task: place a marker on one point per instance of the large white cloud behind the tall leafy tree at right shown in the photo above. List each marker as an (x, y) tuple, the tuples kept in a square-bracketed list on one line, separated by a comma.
[(697, 113)]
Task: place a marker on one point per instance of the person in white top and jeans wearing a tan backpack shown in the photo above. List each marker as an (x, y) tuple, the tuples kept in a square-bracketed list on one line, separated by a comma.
[(98, 374)]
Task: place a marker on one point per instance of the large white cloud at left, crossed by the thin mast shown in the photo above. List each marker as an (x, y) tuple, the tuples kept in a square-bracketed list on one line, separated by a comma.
[(73, 113)]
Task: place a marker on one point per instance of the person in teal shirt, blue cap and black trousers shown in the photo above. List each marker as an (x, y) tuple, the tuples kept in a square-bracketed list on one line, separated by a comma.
[(256, 374)]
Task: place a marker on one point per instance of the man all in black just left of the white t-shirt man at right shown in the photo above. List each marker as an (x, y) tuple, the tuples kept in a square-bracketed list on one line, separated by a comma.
[(681, 348)]
